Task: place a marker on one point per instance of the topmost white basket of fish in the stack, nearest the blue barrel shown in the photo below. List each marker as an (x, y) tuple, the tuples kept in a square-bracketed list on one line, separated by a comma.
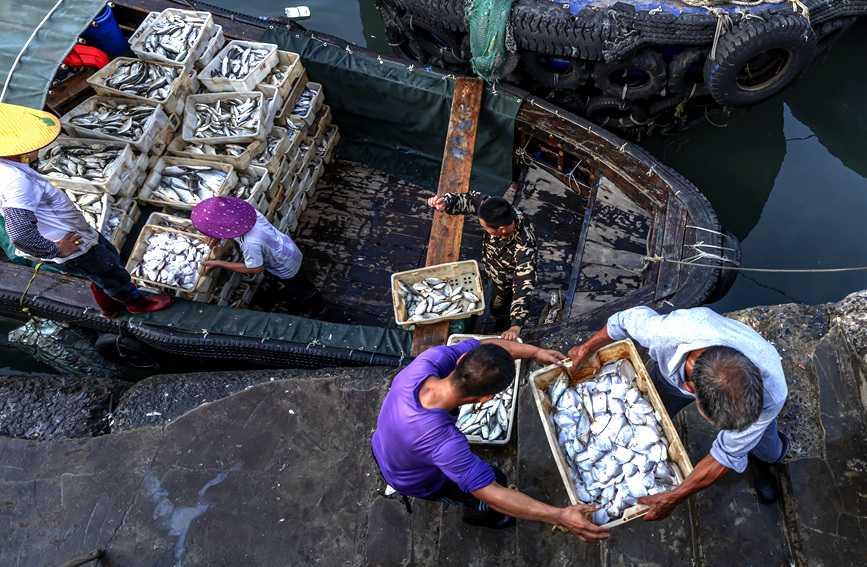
[(173, 36)]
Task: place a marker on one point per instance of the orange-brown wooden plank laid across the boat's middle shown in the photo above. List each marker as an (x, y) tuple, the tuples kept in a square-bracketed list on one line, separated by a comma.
[(445, 235)]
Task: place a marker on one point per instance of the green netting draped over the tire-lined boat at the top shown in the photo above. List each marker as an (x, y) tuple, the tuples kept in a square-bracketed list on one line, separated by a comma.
[(489, 37)]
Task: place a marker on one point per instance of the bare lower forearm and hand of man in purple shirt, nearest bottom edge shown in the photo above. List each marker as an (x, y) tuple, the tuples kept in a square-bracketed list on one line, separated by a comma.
[(519, 505)]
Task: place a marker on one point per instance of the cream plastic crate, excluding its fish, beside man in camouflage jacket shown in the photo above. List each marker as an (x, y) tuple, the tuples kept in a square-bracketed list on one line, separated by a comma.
[(464, 274)]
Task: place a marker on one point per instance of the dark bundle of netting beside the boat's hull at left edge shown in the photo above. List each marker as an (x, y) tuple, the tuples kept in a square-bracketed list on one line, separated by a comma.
[(71, 351)]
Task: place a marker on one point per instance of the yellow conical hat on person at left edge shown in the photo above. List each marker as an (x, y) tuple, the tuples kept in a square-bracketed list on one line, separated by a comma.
[(24, 130)]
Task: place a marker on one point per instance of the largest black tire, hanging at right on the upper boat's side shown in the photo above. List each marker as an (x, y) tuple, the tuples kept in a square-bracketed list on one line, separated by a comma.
[(777, 49)]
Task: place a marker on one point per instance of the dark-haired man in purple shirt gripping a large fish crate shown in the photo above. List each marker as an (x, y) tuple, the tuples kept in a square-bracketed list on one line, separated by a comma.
[(422, 453)]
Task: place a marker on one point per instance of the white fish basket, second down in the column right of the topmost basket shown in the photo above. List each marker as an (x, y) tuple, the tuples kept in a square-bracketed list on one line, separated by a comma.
[(219, 118)]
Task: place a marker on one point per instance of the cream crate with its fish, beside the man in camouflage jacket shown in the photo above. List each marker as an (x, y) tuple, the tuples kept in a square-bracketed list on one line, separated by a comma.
[(437, 293)]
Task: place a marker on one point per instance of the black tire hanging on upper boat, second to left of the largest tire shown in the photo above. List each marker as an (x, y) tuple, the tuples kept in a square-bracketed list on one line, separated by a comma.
[(643, 75)]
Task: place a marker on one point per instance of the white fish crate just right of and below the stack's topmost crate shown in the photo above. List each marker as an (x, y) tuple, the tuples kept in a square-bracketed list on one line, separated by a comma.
[(239, 66)]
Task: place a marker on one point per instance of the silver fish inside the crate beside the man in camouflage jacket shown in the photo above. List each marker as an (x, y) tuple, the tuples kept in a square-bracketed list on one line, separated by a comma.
[(434, 298)]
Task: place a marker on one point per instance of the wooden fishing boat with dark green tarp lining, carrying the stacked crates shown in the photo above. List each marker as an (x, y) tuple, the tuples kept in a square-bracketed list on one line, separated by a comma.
[(616, 227)]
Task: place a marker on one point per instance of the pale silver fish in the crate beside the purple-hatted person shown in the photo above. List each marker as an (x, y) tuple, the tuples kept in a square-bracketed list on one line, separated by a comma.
[(172, 259)]
